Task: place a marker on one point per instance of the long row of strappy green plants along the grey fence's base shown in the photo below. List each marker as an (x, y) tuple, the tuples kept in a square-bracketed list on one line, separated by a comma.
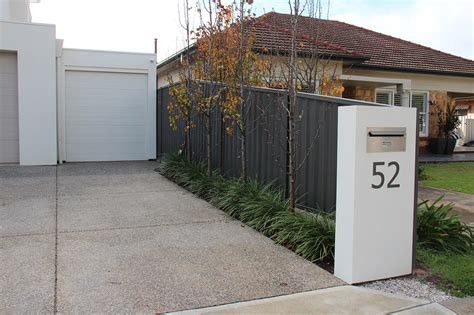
[(260, 206)]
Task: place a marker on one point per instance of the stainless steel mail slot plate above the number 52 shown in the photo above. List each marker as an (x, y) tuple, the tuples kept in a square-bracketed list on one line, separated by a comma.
[(386, 139)]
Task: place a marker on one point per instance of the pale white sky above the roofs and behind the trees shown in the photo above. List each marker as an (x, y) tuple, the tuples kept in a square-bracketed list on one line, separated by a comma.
[(131, 25)]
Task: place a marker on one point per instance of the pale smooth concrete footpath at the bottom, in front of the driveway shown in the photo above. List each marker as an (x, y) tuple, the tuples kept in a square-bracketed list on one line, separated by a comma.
[(338, 301)]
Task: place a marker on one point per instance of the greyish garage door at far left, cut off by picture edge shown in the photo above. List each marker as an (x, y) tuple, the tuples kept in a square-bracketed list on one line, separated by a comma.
[(9, 145)]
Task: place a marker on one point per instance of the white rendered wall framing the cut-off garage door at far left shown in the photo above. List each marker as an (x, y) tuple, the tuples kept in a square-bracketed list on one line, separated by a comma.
[(35, 45)]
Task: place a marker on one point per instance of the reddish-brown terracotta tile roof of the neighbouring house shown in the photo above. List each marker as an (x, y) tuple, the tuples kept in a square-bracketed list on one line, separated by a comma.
[(340, 39)]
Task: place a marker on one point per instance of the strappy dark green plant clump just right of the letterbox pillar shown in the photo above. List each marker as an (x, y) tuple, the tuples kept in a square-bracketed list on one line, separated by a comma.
[(439, 230)]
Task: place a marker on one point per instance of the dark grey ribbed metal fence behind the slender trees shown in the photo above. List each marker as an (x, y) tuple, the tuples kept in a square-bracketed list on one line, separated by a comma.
[(316, 138)]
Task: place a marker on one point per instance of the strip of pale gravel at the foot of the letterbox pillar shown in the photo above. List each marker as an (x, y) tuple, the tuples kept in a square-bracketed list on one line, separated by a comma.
[(409, 287)]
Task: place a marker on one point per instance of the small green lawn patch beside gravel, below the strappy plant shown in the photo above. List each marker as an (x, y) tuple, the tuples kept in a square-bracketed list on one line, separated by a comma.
[(455, 273)]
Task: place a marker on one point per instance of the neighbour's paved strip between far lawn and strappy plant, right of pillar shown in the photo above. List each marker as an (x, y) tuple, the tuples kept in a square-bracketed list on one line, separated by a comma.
[(463, 203)]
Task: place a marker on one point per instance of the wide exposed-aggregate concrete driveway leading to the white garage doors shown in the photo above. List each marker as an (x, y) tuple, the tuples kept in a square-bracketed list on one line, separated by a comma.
[(118, 237)]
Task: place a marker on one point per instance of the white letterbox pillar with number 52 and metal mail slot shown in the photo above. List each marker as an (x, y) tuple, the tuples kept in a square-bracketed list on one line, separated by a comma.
[(376, 153)]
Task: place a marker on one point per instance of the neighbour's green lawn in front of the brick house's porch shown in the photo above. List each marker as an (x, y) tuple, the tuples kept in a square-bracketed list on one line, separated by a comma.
[(451, 176)]
